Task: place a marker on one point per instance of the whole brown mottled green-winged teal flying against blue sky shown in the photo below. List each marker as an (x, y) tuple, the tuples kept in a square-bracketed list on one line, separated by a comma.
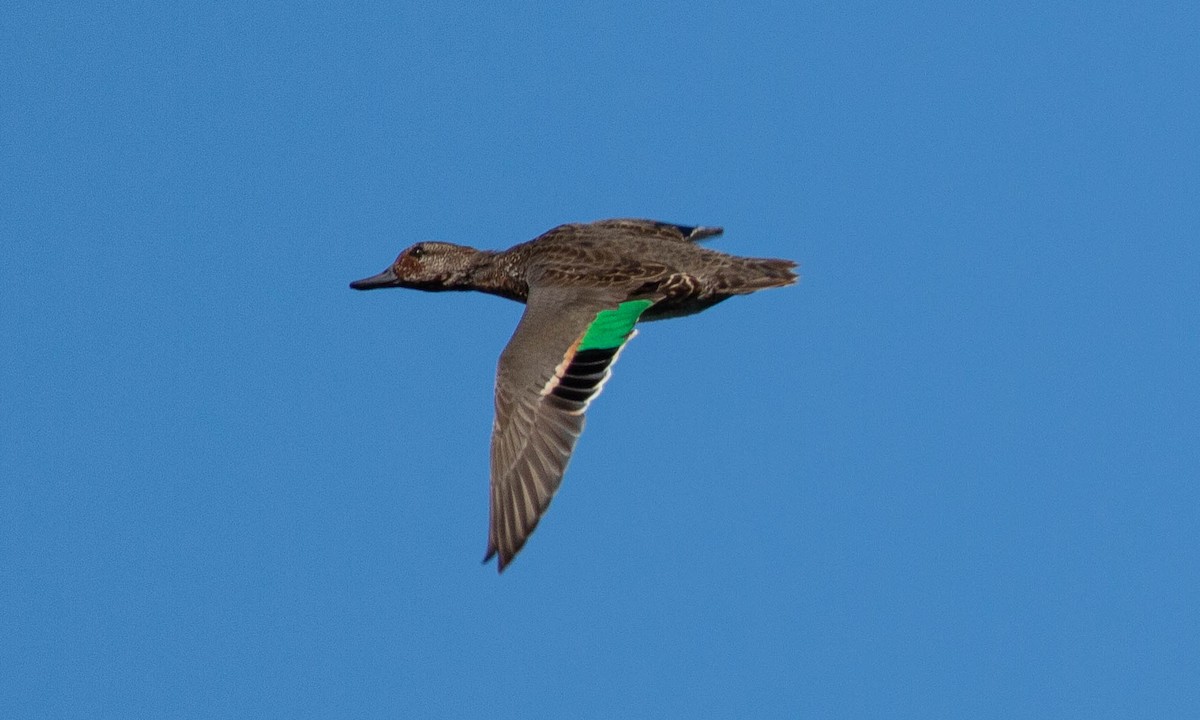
[(585, 286)]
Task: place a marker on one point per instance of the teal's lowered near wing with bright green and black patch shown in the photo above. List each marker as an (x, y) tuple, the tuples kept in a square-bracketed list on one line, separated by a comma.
[(555, 365)]
